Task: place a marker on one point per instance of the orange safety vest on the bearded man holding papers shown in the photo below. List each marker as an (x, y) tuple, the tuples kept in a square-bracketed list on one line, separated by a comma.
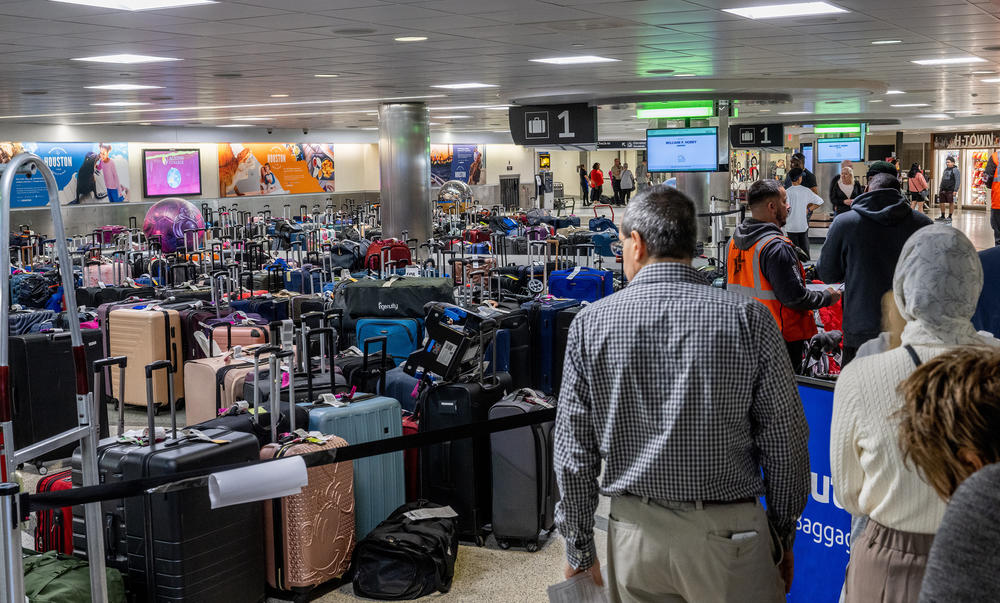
[(746, 278)]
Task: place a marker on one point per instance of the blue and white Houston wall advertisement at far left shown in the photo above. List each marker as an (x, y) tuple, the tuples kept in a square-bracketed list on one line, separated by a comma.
[(85, 172)]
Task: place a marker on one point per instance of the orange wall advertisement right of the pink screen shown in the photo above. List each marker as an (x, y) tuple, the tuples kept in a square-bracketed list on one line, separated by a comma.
[(275, 169)]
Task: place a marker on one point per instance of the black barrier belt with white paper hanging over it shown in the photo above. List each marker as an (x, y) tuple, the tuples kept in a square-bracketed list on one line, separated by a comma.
[(77, 496)]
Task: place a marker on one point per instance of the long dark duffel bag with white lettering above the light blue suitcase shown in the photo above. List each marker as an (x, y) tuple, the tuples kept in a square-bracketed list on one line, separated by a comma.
[(395, 297)]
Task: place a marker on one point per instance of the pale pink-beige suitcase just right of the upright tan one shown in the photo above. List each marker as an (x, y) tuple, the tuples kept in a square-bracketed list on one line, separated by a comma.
[(214, 383)]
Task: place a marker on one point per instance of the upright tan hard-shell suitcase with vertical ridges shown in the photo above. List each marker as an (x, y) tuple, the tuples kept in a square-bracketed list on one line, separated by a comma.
[(145, 336)]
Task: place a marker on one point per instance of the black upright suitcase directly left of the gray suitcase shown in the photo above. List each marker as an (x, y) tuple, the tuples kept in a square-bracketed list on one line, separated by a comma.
[(458, 473)]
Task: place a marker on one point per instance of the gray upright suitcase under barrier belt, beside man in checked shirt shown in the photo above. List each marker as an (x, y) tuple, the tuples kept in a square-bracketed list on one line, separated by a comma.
[(524, 484)]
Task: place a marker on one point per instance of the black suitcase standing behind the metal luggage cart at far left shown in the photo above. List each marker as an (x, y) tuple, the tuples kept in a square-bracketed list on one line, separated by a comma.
[(43, 387)]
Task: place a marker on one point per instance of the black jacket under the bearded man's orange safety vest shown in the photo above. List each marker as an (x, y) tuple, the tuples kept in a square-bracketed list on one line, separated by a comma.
[(780, 266)]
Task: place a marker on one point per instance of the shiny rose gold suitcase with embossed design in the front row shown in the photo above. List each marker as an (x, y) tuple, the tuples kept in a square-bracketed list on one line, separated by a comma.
[(309, 537)]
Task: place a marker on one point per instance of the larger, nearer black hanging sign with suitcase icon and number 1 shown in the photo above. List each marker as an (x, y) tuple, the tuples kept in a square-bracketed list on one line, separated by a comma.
[(540, 125)]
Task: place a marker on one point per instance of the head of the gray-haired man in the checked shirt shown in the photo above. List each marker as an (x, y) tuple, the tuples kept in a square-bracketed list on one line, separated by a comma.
[(665, 219)]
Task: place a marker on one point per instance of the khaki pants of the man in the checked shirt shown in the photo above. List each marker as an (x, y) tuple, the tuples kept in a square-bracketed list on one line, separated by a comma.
[(686, 554)]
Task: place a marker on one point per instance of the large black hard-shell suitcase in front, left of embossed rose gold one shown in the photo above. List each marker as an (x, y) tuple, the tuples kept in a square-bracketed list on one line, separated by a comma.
[(172, 546)]
